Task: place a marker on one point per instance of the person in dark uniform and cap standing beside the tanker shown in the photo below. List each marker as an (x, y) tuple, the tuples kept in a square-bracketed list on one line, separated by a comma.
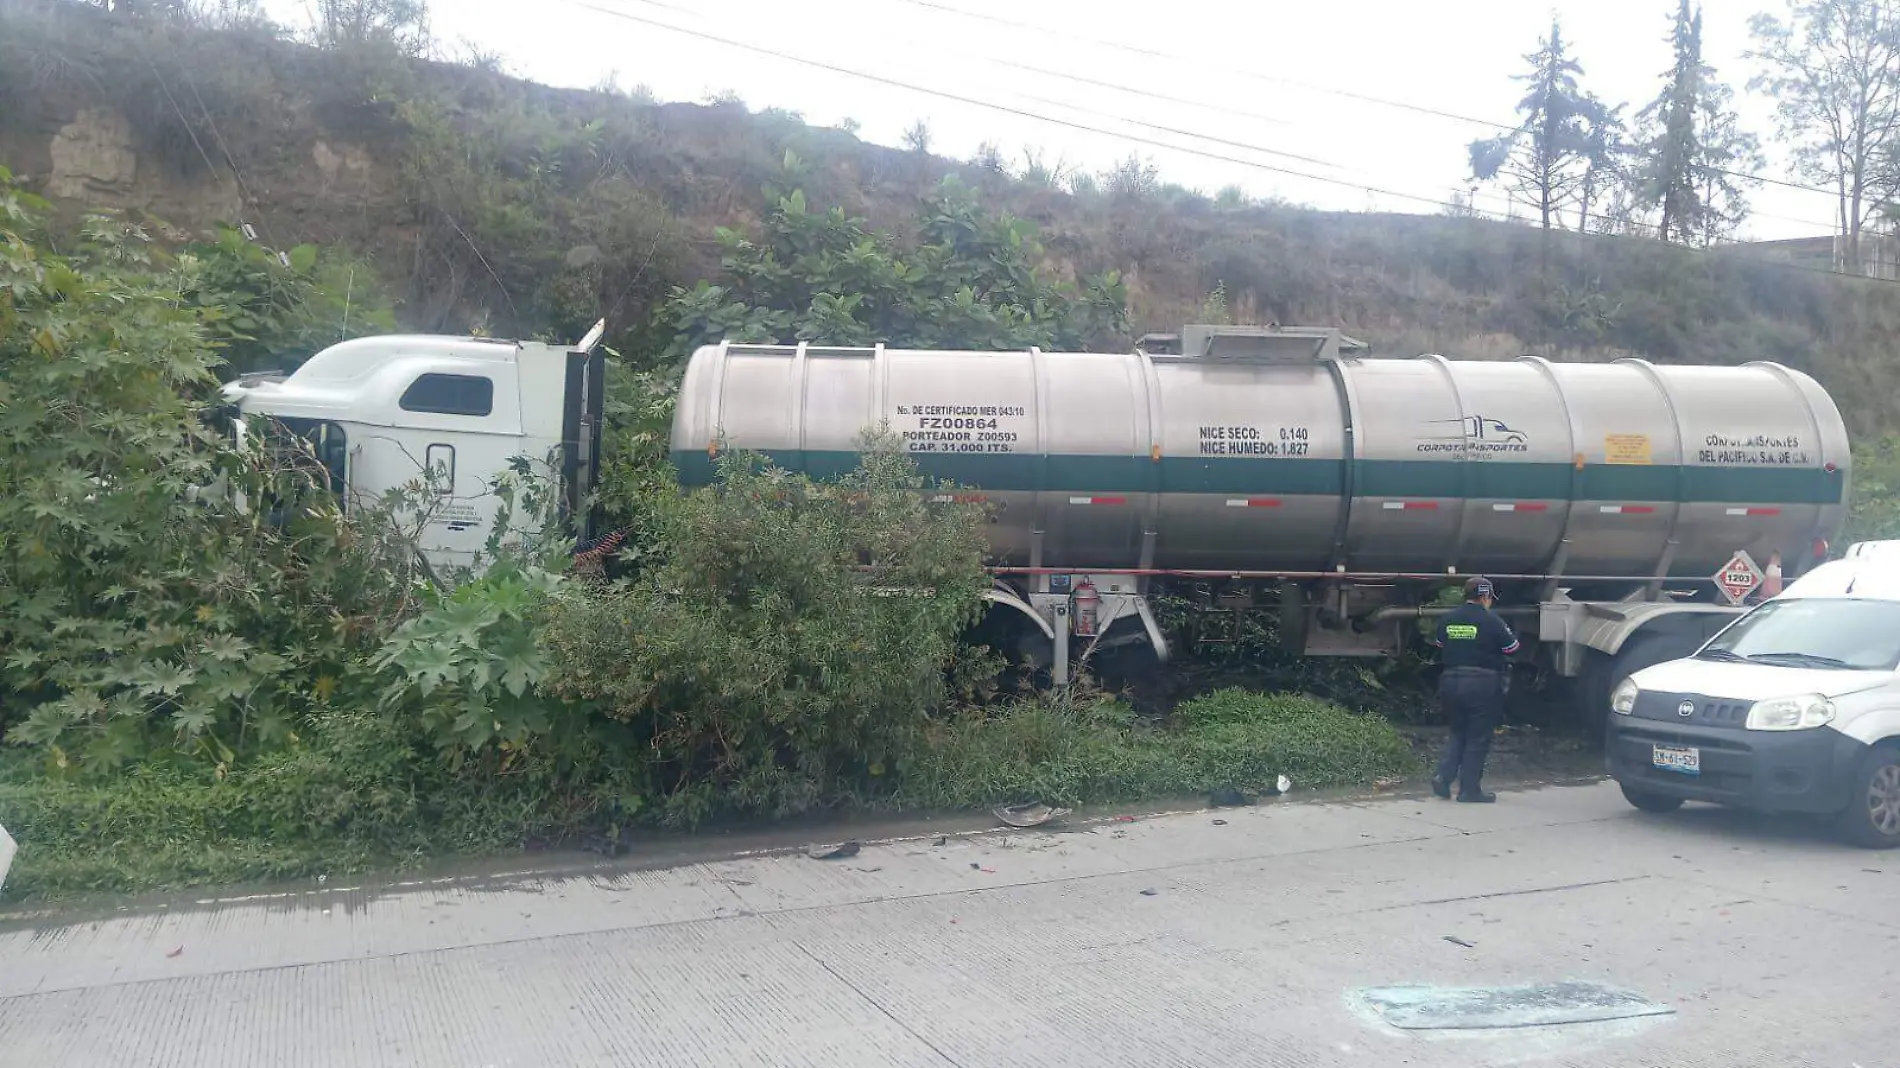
[(1472, 689)]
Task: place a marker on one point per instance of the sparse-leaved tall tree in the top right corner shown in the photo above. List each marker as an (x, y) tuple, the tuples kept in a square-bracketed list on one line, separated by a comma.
[(1834, 73)]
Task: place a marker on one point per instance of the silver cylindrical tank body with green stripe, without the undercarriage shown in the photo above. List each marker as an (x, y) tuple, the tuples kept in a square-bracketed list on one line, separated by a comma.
[(1282, 453)]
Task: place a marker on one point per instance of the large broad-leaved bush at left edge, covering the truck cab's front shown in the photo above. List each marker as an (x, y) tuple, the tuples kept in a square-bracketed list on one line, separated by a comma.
[(140, 603)]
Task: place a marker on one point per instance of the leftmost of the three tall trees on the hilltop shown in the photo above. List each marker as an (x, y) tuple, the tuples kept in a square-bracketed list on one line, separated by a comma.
[(1549, 155)]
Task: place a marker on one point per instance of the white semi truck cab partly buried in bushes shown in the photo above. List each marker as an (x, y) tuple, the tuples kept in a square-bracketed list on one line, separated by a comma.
[(444, 413)]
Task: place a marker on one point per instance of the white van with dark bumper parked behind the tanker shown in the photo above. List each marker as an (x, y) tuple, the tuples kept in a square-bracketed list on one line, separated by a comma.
[(1793, 708)]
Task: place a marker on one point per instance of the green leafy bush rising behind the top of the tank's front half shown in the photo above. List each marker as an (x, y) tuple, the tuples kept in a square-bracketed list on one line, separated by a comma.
[(966, 280)]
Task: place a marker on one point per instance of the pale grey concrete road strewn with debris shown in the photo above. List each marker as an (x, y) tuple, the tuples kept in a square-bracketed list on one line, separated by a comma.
[(1162, 942)]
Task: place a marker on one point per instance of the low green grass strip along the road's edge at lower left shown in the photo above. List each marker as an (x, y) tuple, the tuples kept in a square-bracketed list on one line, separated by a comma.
[(358, 797)]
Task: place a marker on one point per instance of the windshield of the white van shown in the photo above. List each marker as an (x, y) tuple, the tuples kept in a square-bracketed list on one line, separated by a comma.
[(1827, 632)]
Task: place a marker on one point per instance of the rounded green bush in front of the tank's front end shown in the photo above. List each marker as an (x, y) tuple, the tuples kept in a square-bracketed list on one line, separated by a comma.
[(789, 639)]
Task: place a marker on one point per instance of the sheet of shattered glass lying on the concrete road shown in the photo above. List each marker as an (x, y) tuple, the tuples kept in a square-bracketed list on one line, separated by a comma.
[(1492, 1008)]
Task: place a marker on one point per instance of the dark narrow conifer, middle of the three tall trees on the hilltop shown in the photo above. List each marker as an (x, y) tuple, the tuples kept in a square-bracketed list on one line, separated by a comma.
[(1692, 147)]
